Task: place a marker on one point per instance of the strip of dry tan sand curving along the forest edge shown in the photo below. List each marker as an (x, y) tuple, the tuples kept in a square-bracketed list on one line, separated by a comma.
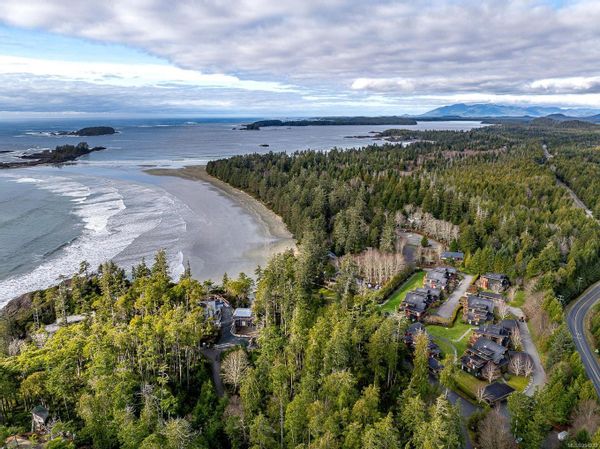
[(272, 223)]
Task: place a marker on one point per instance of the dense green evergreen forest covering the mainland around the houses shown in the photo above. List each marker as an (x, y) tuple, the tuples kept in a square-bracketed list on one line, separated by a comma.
[(327, 364)]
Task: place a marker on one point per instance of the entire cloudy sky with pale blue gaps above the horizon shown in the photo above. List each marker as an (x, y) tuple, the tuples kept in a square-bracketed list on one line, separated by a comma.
[(294, 58)]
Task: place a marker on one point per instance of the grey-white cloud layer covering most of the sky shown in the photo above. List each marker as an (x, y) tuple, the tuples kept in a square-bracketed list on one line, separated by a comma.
[(335, 53)]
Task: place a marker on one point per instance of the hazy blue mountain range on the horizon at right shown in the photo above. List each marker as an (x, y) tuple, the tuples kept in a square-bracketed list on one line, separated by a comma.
[(500, 110)]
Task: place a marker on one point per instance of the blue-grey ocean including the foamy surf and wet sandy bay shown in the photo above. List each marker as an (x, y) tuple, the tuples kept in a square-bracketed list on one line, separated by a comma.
[(104, 206)]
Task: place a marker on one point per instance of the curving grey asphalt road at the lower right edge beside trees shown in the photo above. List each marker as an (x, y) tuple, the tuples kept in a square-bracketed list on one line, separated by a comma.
[(576, 321)]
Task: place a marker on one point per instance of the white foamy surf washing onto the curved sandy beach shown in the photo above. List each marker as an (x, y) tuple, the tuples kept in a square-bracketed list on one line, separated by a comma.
[(113, 215)]
